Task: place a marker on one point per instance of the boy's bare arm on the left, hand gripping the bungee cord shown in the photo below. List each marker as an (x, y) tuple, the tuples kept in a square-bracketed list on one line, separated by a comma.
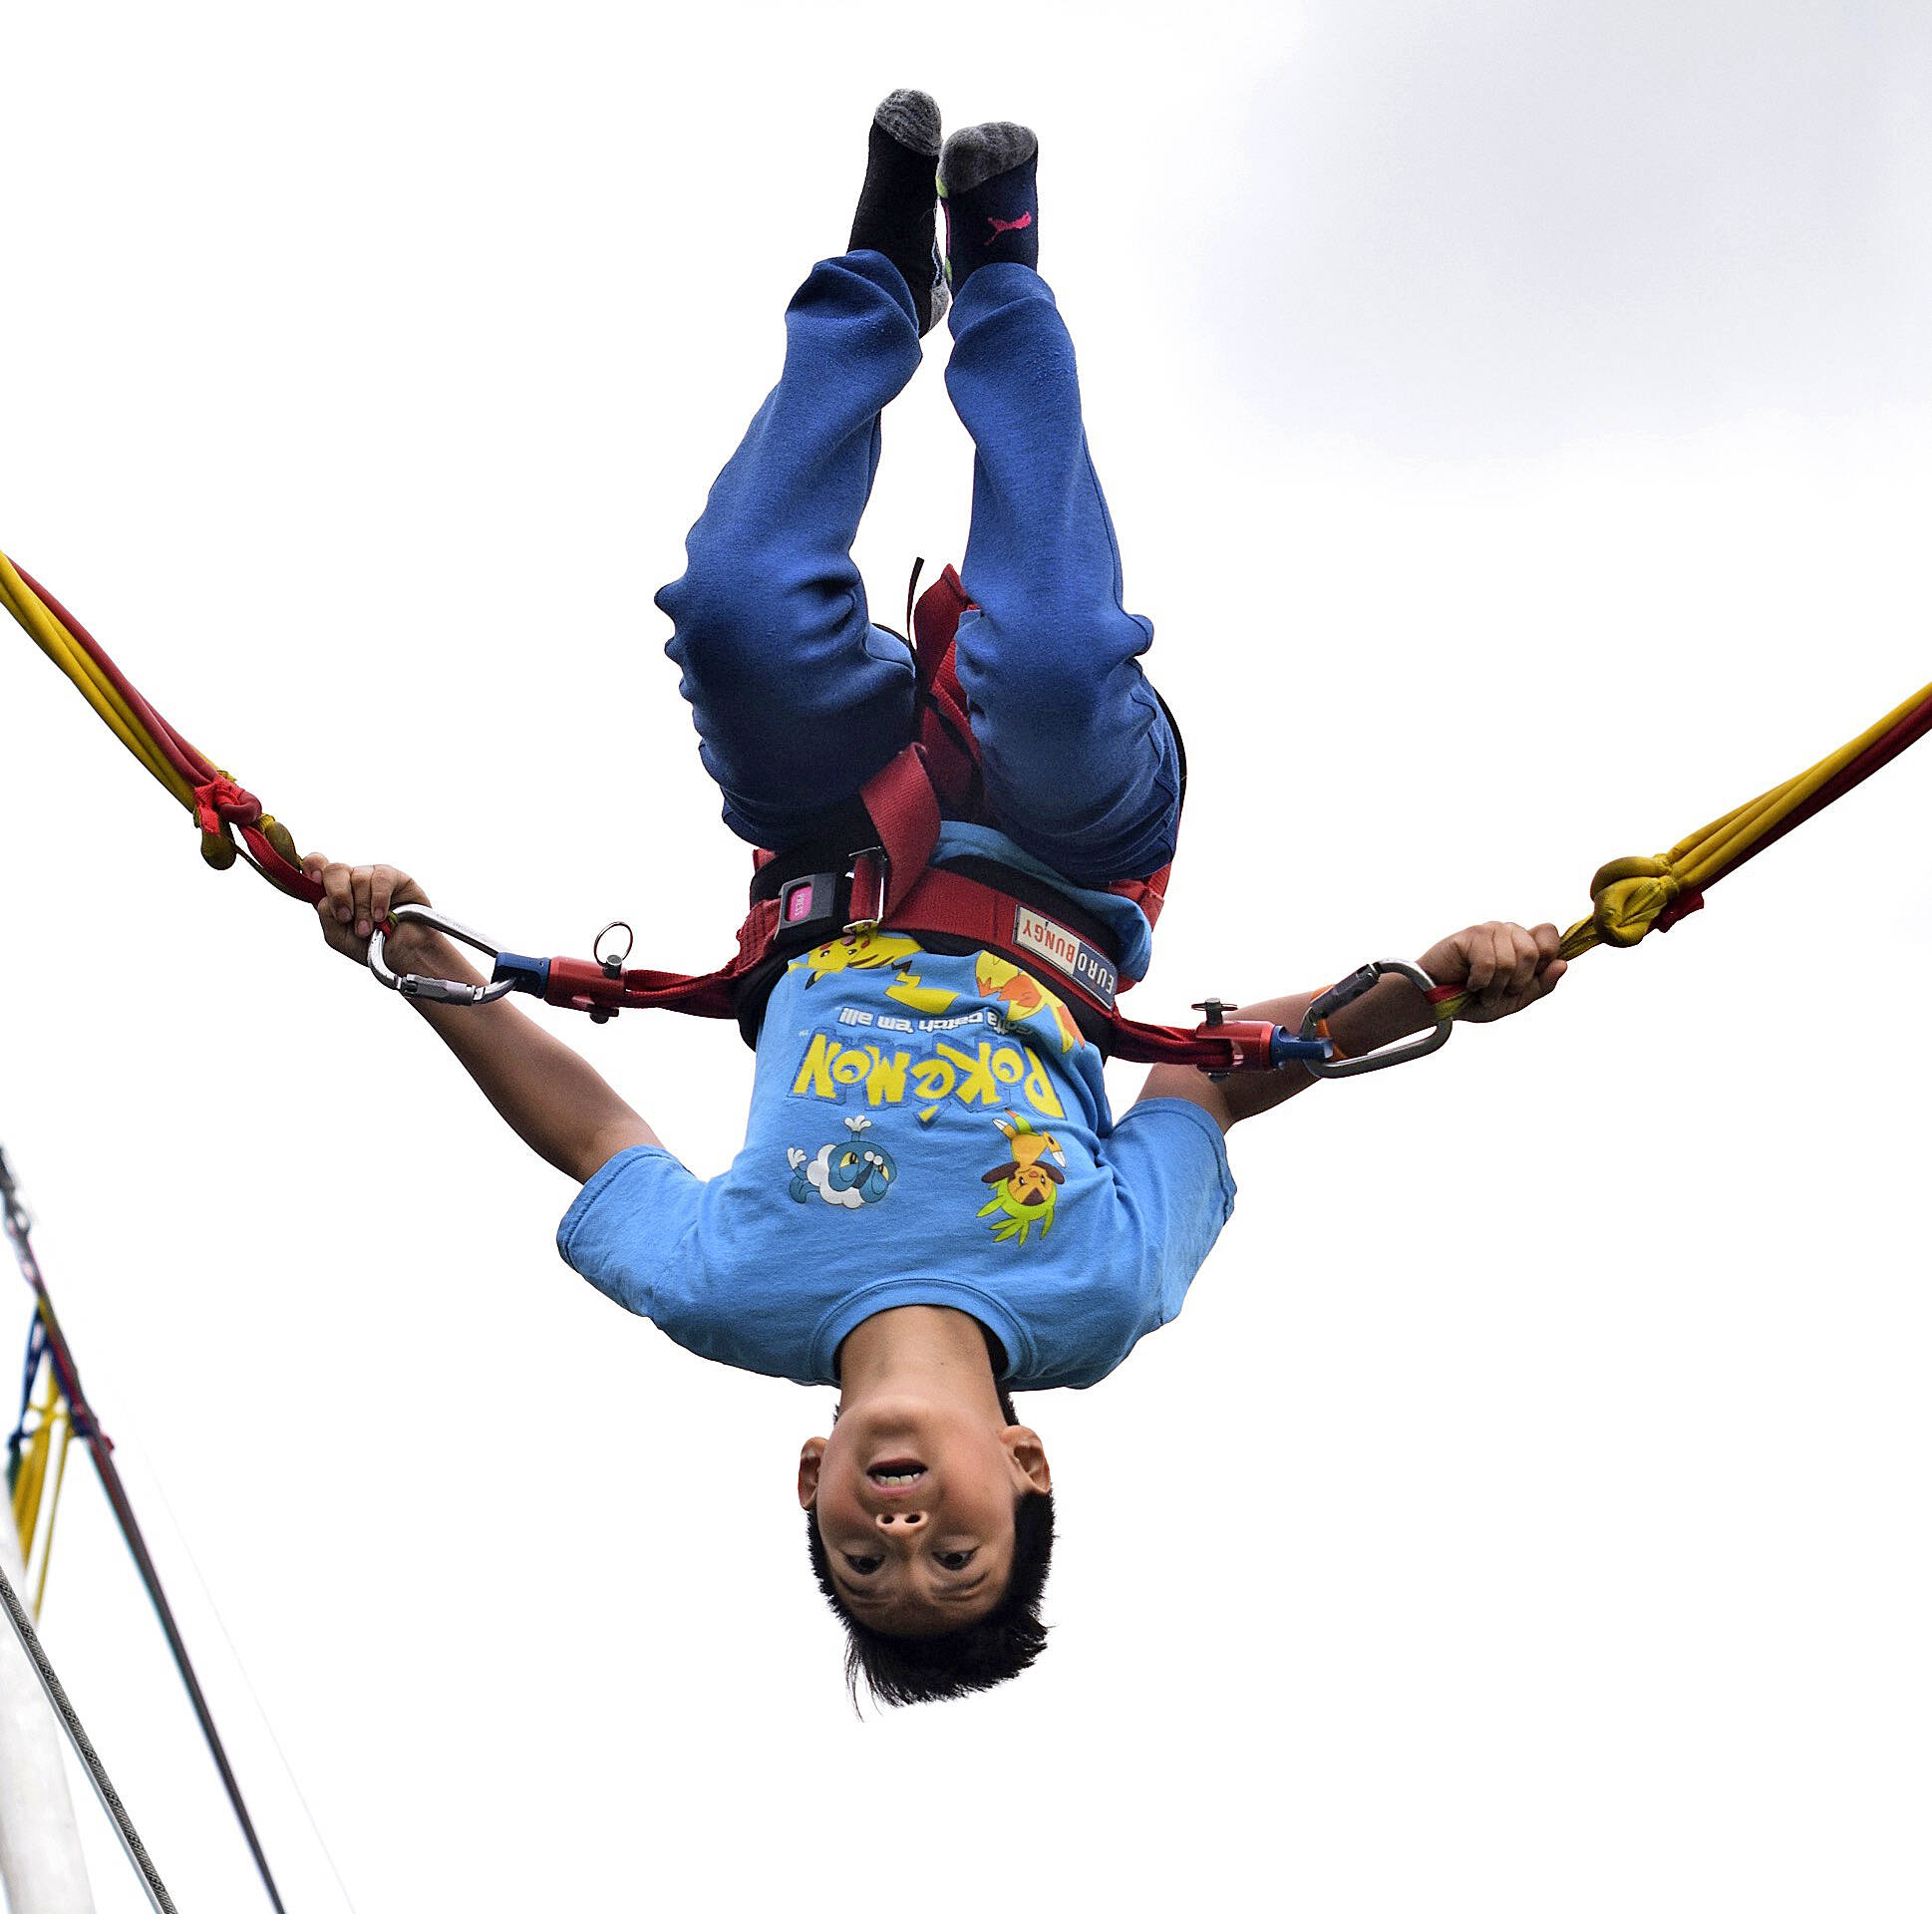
[(550, 1096)]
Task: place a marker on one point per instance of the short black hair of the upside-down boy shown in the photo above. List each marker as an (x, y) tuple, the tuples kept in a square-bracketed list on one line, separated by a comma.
[(984, 1654)]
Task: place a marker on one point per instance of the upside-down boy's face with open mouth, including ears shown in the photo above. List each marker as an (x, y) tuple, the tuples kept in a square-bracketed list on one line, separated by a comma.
[(915, 1506)]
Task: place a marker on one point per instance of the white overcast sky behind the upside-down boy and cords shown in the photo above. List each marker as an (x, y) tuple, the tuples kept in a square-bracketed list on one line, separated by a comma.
[(1520, 430)]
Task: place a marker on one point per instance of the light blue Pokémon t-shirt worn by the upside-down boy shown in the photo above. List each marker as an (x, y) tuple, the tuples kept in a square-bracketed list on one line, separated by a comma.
[(924, 1131)]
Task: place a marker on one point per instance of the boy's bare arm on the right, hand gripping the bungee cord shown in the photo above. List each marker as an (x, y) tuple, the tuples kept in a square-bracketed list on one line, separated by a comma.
[(1502, 967)]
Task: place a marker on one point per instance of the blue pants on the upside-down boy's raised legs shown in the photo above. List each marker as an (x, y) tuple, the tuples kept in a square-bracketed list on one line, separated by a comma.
[(799, 698)]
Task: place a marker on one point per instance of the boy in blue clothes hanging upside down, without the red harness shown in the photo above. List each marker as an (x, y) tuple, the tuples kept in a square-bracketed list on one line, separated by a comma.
[(934, 1204)]
